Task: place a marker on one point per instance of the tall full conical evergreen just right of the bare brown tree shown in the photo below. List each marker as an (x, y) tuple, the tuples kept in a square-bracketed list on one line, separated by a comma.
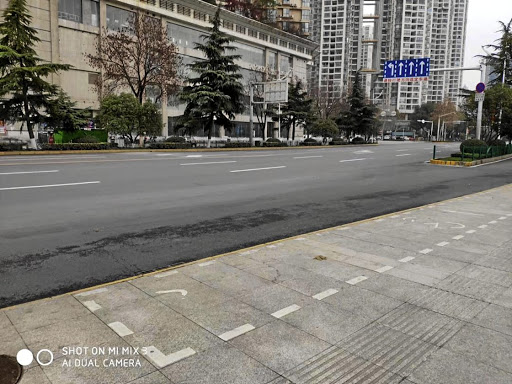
[(214, 94)]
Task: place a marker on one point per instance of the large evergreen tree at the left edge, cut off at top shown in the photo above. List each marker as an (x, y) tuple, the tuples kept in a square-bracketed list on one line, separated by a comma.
[(22, 73)]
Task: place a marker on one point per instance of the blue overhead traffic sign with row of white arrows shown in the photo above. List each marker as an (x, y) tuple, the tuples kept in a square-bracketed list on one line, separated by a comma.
[(407, 70)]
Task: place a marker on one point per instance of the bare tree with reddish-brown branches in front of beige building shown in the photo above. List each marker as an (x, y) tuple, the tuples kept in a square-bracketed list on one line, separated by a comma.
[(136, 57)]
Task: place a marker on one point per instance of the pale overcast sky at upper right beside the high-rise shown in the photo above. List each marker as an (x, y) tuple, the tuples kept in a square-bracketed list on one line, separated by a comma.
[(483, 16)]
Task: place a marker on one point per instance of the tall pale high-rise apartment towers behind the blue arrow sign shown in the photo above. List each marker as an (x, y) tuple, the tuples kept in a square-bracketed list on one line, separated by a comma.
[(361, 34)]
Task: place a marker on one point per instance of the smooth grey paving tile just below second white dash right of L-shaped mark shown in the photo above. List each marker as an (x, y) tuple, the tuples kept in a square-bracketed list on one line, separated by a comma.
[(279, 346)]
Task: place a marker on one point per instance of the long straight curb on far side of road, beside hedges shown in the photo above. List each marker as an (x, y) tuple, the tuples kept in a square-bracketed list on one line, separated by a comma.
[(38, 153)]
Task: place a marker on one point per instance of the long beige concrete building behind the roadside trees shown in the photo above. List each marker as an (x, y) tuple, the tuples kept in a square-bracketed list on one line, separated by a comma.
[(68, 30)]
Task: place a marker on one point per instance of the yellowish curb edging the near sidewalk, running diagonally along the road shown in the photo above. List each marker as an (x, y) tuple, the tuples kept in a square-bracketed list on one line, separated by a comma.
[(71, 293)]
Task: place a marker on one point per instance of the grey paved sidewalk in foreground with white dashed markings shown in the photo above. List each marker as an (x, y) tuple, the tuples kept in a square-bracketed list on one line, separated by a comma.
[(422, 296)]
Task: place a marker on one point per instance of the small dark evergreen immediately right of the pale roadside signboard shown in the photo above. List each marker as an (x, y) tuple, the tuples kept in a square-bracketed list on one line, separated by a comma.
[(298, 110)]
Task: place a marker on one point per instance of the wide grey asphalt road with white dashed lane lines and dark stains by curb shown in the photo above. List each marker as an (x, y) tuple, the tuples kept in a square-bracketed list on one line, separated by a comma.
[(73, 221)]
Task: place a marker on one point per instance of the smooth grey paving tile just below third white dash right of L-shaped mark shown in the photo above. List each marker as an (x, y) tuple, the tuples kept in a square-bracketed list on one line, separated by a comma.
[(327, 324)]
